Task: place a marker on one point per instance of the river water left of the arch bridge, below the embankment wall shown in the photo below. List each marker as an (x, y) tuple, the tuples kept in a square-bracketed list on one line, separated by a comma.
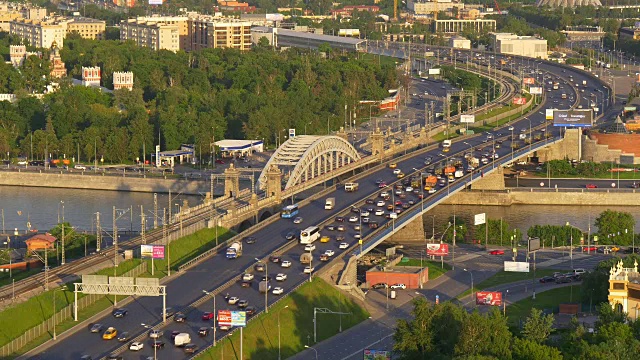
[(43, 207)]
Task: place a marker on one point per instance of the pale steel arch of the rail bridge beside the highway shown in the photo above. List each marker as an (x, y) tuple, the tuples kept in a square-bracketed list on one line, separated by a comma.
[(305, 157)]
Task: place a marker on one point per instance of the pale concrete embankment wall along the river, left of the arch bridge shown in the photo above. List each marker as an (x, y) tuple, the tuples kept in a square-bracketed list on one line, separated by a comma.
[(97, 182)]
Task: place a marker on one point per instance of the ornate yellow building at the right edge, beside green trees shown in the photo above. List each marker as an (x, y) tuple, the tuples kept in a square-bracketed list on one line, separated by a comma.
[(624, 290)]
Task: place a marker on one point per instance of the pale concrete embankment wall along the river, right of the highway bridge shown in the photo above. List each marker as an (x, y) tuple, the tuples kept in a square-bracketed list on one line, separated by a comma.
[(548, 197)]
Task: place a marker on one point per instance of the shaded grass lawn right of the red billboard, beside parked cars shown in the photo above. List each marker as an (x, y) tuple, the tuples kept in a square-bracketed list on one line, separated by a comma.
[(545, 300)]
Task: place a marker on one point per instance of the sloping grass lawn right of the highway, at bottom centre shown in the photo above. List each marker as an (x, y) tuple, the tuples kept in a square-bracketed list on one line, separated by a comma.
[(296, 324)]
